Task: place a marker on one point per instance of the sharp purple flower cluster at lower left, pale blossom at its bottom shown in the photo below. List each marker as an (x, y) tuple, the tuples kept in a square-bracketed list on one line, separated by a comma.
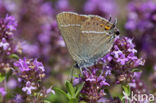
[(30, 73)]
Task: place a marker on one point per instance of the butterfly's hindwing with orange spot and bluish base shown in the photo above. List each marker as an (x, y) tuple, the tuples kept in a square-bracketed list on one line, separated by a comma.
[(95, 41)]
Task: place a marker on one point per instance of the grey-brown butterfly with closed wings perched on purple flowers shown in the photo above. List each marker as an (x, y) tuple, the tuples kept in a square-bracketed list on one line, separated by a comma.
[(87, 37)]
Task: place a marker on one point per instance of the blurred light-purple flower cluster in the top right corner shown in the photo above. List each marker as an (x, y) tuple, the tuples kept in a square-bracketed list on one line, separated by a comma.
[(142, 16)]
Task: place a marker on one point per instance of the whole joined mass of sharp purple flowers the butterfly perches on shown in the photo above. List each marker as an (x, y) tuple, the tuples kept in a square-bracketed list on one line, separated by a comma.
[(122, 57)]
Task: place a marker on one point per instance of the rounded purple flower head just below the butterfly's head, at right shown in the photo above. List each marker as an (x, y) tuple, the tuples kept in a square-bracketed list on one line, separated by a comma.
[(122, 57)]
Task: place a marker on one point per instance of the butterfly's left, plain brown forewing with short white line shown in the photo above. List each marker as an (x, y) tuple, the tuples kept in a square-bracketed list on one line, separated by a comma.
[(69, 24)]
